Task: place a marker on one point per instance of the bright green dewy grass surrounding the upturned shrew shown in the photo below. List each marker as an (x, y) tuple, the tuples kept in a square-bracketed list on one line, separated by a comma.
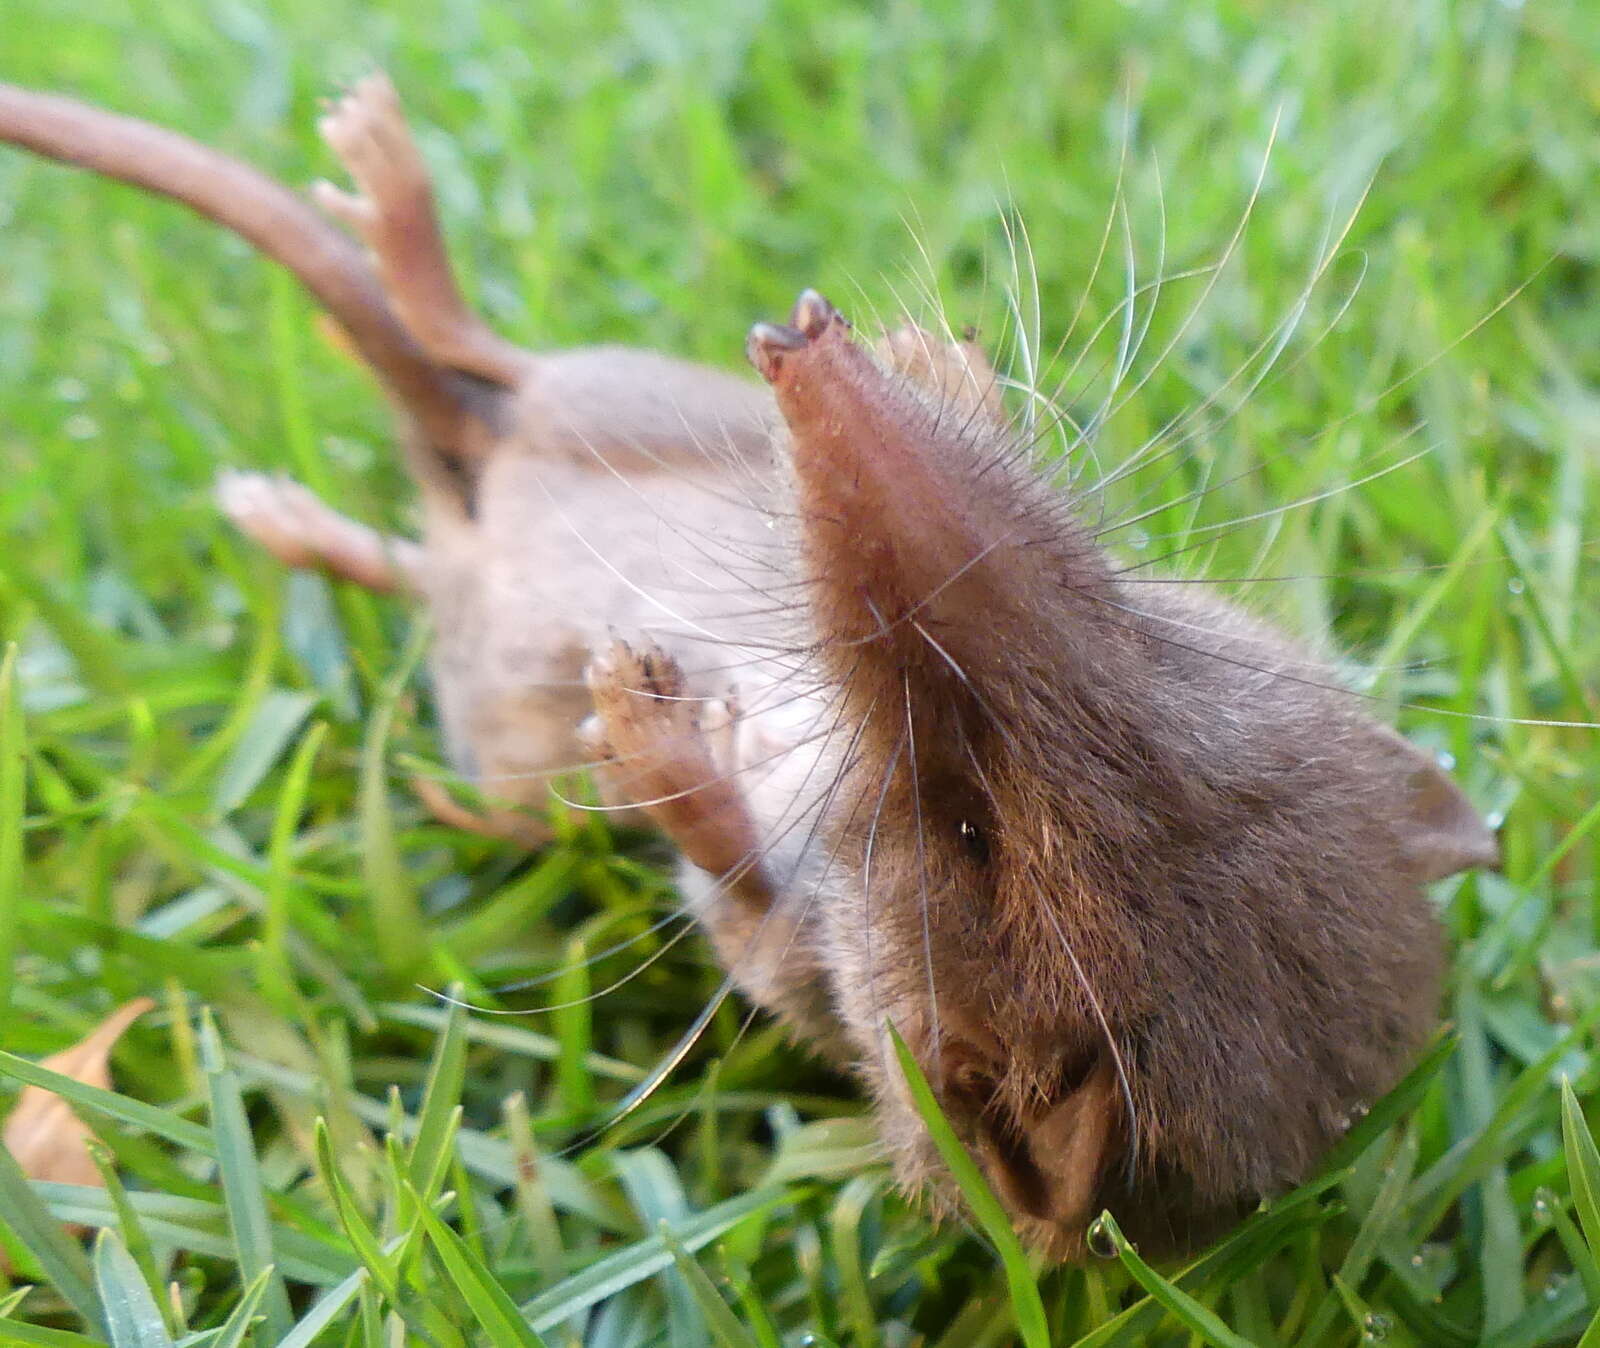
[(202, 785)]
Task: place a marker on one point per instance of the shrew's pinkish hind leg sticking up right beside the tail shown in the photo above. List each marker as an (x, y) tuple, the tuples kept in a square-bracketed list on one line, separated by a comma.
[(393, 211)]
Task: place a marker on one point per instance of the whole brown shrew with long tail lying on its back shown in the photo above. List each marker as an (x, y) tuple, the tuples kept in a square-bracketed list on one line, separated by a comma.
[(1140, 888)]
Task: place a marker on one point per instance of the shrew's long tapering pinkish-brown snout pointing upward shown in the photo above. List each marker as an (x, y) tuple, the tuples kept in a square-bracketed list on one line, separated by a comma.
[(927, 542)]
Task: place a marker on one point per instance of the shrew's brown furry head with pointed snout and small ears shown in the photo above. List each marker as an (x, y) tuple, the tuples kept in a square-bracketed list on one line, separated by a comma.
[(1233, 859)]
